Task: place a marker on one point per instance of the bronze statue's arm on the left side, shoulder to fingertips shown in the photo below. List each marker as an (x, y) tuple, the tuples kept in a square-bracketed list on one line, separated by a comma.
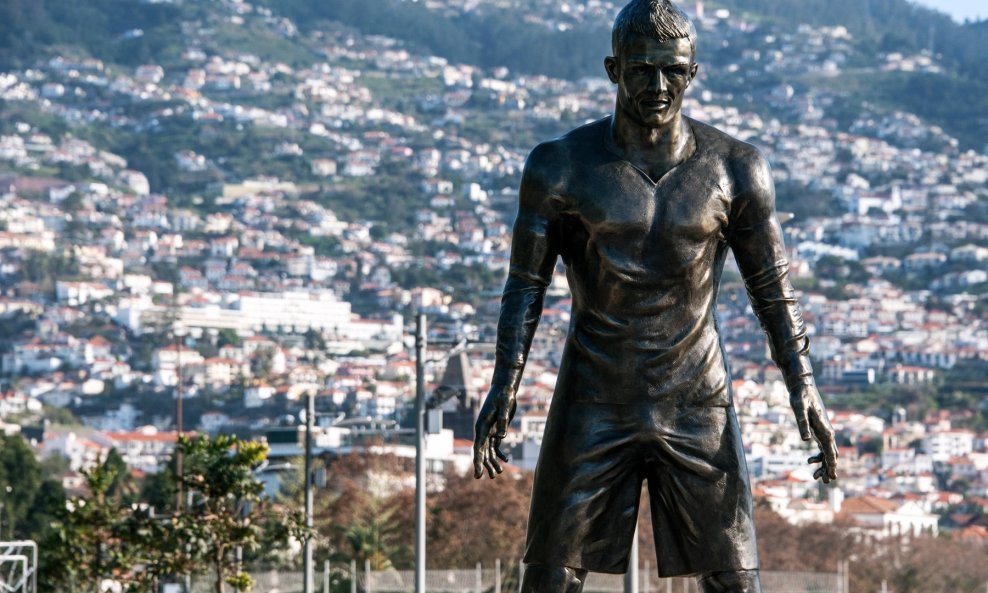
[(534, 250)]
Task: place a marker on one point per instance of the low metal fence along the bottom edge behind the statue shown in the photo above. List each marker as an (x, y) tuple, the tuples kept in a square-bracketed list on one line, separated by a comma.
[(481, 580)]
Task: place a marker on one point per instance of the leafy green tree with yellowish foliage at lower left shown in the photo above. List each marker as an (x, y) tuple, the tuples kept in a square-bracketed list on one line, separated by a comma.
[(102, 535)]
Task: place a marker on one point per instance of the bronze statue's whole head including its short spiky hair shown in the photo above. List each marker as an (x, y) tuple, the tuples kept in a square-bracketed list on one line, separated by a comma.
[(654, 46)]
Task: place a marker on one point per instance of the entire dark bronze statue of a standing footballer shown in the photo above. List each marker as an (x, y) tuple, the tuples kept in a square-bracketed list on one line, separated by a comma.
[(642, 207)]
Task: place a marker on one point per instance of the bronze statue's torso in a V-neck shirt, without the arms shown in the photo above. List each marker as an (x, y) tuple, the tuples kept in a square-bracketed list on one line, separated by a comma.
[(643, 260)]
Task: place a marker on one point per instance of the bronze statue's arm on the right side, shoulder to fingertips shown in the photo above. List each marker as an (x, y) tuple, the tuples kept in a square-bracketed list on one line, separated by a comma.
[(757, 242)]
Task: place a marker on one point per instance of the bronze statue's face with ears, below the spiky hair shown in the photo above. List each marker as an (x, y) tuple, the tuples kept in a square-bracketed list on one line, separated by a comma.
[(652, 77)]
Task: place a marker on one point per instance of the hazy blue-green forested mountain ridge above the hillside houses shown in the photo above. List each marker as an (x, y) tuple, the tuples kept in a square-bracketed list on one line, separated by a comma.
[(543, 42)]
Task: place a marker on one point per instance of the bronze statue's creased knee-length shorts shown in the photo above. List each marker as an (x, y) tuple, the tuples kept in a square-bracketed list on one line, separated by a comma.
[(588, 483)]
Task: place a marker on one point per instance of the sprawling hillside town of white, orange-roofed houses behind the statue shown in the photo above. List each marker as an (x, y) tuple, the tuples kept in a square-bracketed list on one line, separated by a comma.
[(248, 287)]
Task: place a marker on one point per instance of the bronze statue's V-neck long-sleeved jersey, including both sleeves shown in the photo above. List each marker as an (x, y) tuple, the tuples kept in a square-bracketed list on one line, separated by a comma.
[(644, 259)]
